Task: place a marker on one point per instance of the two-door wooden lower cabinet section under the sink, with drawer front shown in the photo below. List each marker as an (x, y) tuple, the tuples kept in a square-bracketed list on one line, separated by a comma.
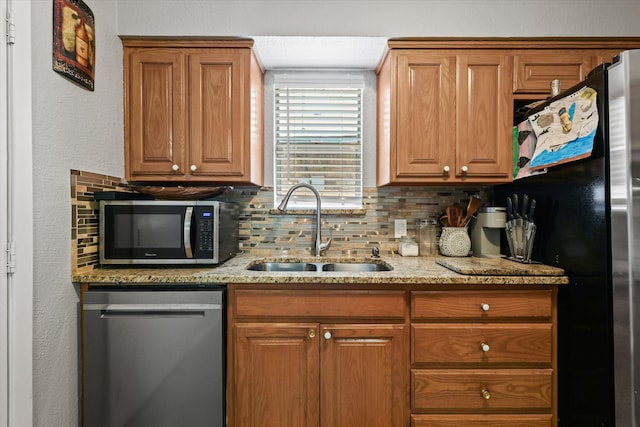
[(328, 372)]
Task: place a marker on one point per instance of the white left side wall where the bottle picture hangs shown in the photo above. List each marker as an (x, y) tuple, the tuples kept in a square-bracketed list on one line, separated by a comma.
[(73, 128)]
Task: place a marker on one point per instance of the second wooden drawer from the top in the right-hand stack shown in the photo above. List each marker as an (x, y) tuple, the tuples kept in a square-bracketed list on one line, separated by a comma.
[(479, 344)]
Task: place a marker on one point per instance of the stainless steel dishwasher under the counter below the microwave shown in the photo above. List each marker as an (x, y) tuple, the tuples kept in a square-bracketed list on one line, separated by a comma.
[(153, 358)]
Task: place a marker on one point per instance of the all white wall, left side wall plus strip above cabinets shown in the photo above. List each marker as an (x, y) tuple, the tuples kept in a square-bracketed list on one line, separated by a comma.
[(77, 129)]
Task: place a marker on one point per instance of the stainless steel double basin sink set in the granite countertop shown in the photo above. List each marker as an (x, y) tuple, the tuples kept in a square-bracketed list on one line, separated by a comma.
[(351, 267)]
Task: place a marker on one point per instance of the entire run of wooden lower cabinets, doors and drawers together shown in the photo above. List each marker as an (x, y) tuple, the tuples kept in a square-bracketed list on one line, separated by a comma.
[(472, 356)]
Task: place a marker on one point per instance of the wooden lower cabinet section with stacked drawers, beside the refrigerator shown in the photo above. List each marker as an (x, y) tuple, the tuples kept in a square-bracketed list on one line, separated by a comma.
[(484, 359)]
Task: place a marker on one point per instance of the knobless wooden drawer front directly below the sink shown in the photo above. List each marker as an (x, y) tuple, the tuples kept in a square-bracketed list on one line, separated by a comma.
[(311, 303)]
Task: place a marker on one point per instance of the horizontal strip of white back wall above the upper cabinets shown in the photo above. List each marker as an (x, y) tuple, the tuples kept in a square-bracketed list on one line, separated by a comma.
[(392, 18)]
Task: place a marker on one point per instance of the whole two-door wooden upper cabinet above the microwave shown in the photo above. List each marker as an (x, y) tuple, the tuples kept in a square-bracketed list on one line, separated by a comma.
[(193, 111)]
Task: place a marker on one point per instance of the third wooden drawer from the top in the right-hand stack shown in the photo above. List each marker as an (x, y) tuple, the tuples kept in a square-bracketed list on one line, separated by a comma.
[(482, 390)]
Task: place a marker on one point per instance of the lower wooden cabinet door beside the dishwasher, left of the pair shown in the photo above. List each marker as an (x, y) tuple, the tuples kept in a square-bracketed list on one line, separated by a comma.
[(276, 375)]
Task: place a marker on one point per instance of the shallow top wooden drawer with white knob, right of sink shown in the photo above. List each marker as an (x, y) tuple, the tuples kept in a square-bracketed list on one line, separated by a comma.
[(483, 305)]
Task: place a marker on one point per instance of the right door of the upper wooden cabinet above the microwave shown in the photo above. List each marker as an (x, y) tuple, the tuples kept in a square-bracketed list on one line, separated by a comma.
[(216, 90)]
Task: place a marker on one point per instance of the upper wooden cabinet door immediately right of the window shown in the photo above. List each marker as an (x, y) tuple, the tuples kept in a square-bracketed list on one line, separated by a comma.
[(425, 122)]
